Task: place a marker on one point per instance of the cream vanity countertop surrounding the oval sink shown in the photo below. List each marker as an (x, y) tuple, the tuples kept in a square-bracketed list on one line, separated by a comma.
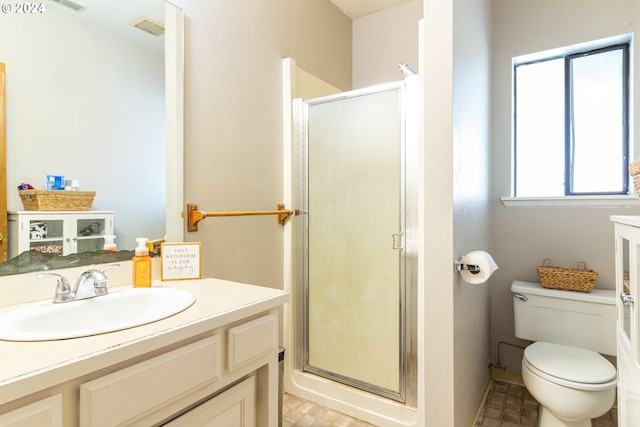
[(27, 367)]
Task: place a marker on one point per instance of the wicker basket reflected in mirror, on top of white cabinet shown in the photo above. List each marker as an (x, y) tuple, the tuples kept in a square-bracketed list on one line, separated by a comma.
[(56, 200)]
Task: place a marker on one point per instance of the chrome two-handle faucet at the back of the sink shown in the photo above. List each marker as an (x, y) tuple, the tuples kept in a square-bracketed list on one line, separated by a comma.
[(91, 283)]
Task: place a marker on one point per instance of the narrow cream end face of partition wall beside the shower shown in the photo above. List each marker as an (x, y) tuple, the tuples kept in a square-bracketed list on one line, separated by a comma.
[(436, 291)]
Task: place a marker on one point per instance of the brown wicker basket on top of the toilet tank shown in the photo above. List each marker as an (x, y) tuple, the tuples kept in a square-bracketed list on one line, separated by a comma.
[(565, 278)]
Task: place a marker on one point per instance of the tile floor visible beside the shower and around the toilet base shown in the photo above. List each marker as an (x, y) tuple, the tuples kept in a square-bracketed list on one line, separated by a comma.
[(506, 405)]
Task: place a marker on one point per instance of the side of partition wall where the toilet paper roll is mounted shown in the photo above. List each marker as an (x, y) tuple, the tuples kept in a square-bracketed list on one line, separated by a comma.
[(471, 181)]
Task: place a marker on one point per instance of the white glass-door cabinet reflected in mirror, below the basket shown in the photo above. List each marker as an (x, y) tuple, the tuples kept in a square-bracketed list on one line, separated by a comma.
[(59, 232)]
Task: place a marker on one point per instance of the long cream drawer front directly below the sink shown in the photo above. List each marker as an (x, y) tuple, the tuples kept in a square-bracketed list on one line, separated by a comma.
[(126, 394)]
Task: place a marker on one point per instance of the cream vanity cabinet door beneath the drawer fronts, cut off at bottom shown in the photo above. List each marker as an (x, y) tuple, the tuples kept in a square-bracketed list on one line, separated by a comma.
[(234, 407)]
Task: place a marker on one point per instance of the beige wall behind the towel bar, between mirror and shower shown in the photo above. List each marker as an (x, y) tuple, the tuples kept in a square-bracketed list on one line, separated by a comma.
[(233, 119)]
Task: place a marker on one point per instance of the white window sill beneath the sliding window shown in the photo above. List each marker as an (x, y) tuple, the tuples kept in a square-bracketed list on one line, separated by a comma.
[(572, 201)]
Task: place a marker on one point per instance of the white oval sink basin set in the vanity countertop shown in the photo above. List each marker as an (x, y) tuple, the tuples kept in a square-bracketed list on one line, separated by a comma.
[(46, 321)]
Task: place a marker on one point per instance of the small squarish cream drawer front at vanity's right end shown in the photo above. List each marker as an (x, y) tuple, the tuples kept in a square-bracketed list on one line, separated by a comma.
[(252, 340)]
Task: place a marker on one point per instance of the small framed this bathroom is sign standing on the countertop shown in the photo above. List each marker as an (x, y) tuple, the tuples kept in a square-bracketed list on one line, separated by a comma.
[(181, 261)]
